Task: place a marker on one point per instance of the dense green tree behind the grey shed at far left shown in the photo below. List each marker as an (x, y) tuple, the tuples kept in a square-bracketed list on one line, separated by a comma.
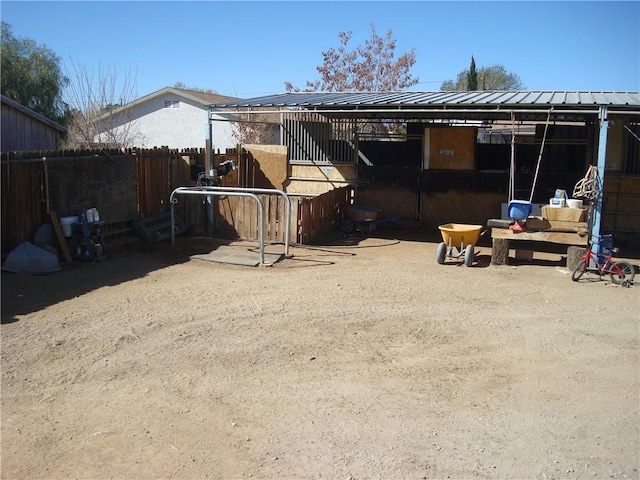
[(31, 75)]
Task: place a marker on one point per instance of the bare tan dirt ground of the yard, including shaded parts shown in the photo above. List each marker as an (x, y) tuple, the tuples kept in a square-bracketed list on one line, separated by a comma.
[(355, 359)]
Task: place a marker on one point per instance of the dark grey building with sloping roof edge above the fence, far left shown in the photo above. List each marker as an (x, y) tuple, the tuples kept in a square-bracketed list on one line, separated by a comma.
[(24, 129)]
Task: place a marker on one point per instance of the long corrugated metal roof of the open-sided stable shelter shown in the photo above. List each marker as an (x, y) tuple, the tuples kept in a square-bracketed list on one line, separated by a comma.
[(454, 104)]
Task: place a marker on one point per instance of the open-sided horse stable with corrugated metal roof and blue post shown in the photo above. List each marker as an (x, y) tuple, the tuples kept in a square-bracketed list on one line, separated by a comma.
[(449, 155)]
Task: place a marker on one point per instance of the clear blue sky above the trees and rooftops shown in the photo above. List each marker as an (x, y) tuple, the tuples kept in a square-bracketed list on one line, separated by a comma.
[(248, 49)]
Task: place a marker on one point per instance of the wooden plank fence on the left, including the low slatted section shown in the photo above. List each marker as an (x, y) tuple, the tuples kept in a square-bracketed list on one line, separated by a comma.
[(126, 185)]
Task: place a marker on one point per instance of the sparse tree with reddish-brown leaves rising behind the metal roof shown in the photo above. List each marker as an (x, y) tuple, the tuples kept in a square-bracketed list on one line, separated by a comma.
[(372, 67)]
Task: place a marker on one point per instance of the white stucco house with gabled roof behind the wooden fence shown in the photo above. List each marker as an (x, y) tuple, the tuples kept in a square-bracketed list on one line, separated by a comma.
[(171, 117)]
